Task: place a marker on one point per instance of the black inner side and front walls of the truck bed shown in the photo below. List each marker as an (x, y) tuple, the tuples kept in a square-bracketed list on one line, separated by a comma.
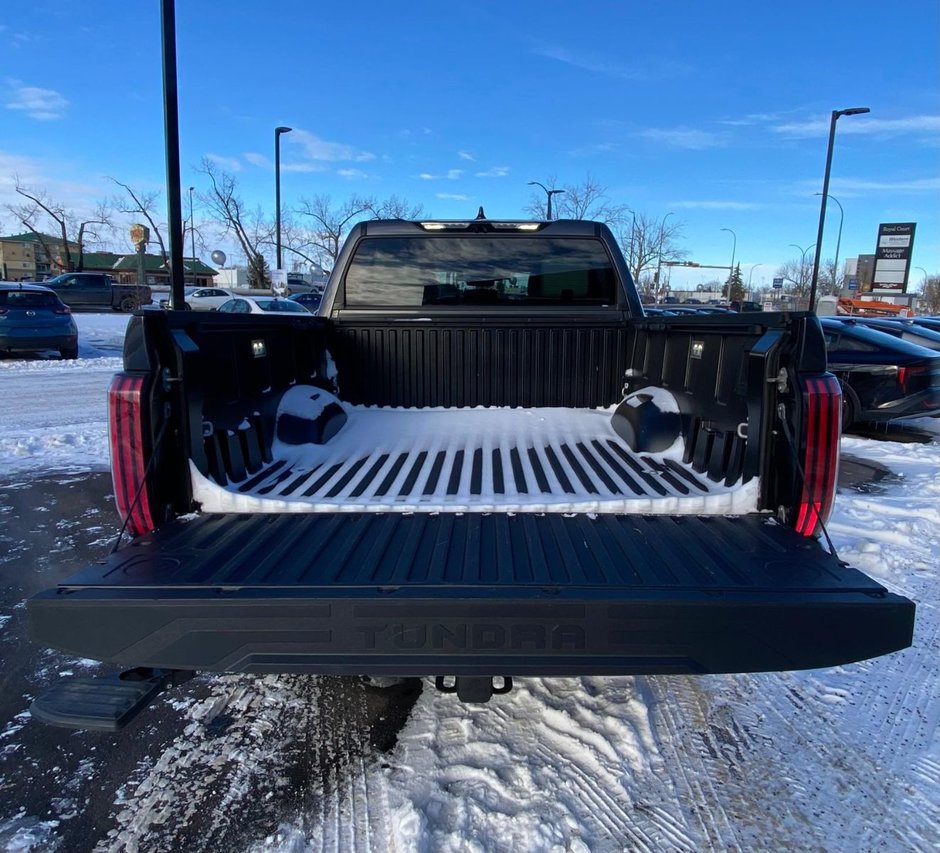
[(231, 391)]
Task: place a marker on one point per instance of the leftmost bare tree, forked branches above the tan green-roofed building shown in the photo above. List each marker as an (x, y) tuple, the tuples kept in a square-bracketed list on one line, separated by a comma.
[(73, 228)]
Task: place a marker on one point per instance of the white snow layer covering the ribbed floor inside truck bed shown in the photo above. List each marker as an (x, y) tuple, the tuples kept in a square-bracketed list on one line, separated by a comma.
[(470, 460)]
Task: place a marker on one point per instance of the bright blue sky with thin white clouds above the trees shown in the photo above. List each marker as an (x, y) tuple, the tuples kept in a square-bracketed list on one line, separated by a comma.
[(715, 112)]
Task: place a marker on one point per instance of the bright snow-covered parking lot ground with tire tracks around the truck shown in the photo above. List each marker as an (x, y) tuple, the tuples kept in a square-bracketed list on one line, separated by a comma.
[(841, 759)]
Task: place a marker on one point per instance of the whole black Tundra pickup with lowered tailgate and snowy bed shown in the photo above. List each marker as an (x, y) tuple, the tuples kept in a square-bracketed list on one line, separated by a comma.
[(479, 460)]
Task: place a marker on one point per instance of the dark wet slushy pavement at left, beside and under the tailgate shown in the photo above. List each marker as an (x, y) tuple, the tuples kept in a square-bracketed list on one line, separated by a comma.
[(72, 790)]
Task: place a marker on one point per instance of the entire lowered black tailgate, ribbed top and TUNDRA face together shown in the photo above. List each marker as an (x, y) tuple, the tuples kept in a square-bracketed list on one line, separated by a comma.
[(473, 594)]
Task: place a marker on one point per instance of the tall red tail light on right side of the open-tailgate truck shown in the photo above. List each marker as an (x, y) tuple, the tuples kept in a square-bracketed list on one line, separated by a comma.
[(822, 414)]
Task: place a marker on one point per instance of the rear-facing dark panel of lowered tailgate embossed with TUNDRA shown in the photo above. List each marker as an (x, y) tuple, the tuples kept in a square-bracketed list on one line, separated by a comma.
[(597, 632)]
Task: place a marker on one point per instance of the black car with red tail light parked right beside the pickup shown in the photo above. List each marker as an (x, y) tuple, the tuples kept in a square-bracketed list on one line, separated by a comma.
[(882, 377)]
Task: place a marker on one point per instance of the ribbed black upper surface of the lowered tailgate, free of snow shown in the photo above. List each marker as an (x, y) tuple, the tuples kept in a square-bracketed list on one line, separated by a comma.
[(396, 551)]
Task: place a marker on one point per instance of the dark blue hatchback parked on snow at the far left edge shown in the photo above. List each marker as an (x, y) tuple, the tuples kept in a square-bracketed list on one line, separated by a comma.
[(33, 318)]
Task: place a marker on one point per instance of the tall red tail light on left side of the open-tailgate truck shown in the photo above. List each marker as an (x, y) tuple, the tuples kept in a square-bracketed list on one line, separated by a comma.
[(128, 461)]
